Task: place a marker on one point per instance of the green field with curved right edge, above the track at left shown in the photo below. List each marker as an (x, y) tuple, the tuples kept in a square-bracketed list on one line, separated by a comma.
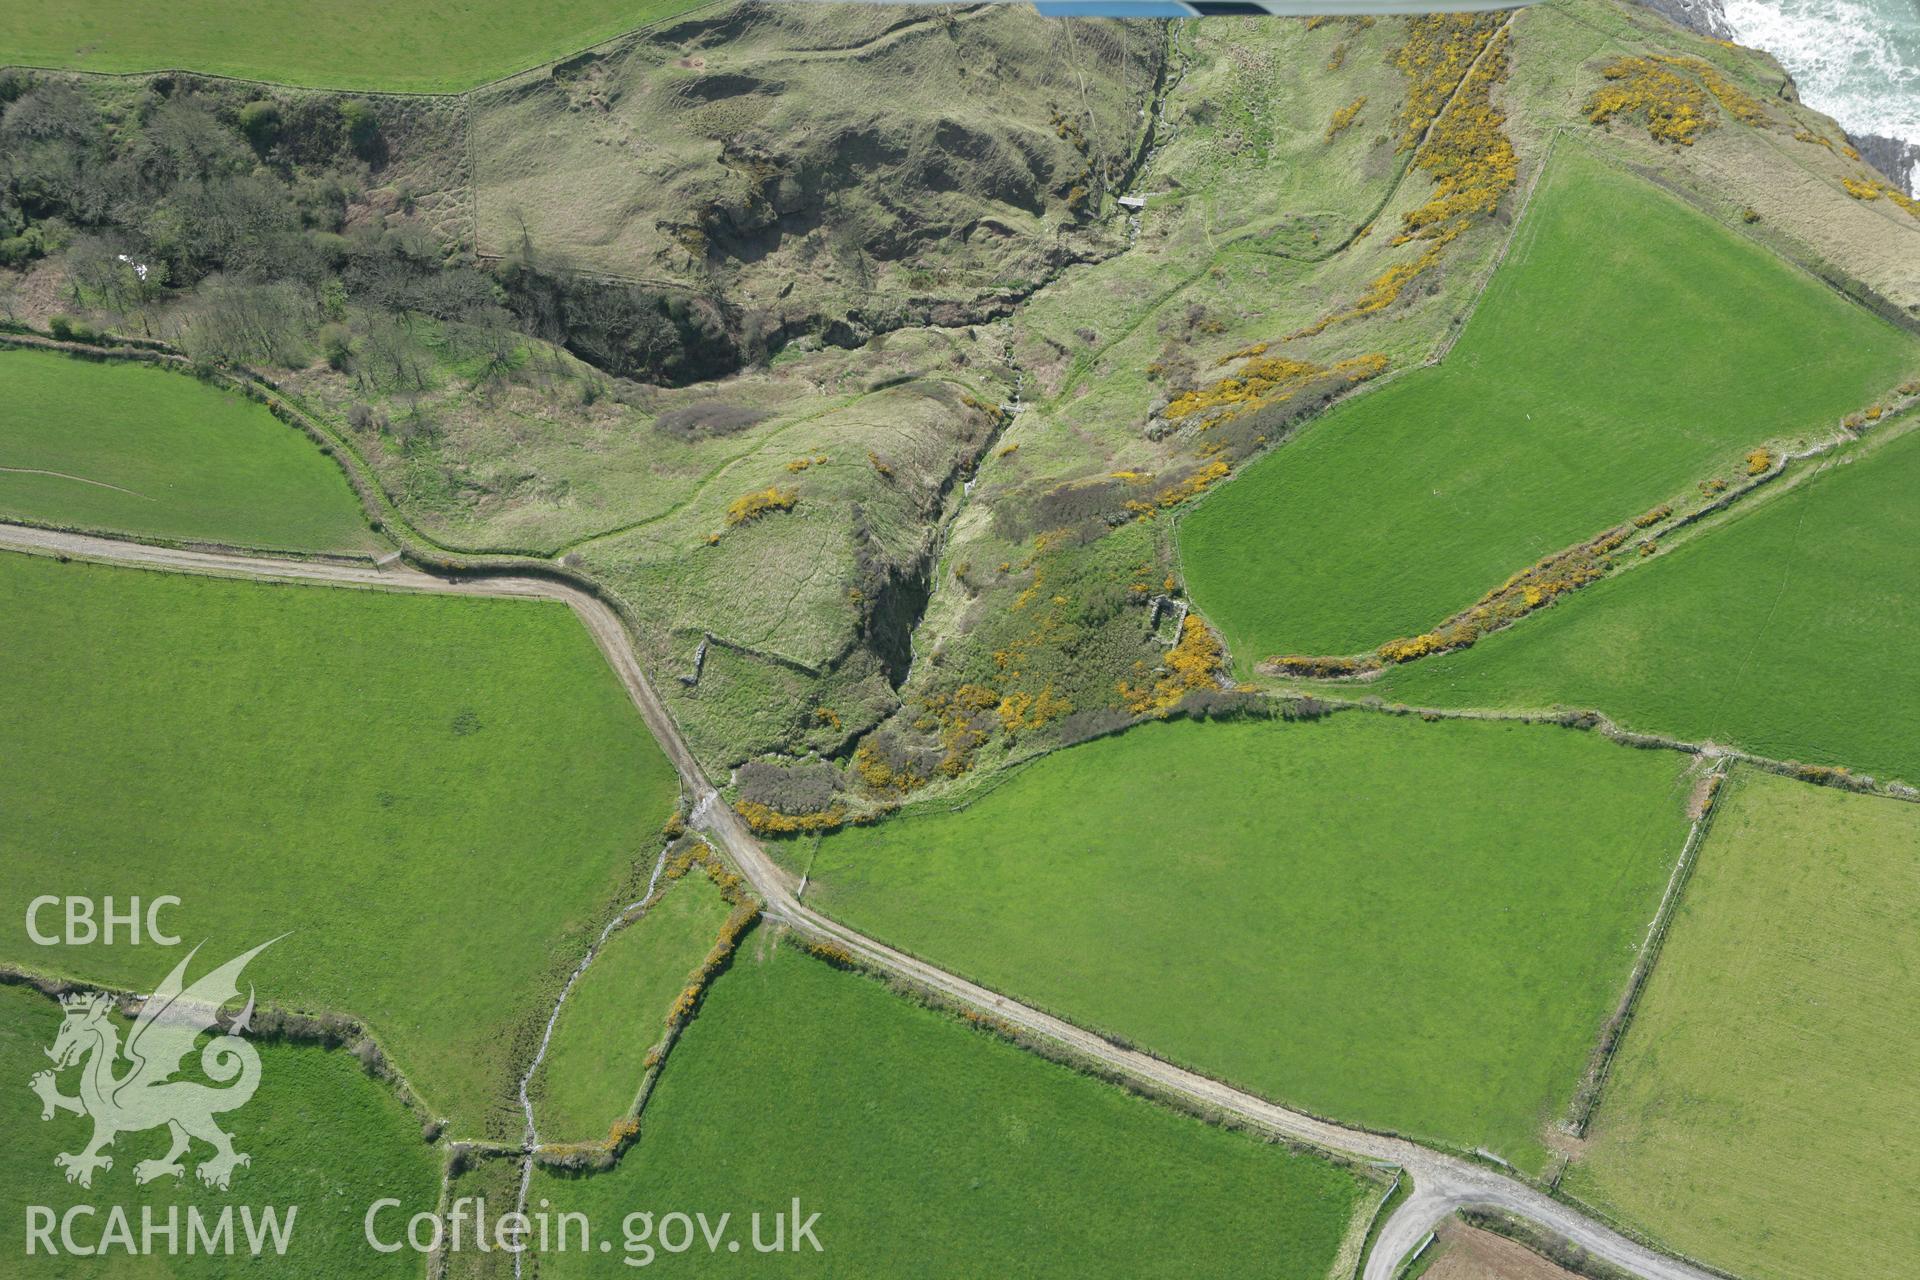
[(130, 450)]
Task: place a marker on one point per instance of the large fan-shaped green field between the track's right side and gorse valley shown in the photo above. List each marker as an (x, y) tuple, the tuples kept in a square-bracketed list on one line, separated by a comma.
[(1387, 922)]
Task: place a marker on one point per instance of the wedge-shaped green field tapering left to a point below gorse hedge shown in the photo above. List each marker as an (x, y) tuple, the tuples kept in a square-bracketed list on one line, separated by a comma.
[(1787, 632)]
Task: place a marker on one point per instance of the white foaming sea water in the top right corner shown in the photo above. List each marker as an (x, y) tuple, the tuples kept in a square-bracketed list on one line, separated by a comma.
[(1856, 60)]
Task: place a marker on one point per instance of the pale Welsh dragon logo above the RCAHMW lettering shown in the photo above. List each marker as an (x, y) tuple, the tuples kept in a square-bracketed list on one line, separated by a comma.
[(147, 1097)]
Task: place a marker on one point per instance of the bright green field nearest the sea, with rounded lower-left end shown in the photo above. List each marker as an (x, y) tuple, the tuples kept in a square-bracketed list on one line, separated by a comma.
[(1625, 350)]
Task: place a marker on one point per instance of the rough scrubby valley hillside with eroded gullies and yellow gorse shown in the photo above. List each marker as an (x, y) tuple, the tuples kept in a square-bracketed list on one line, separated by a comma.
[(823, 343)]
